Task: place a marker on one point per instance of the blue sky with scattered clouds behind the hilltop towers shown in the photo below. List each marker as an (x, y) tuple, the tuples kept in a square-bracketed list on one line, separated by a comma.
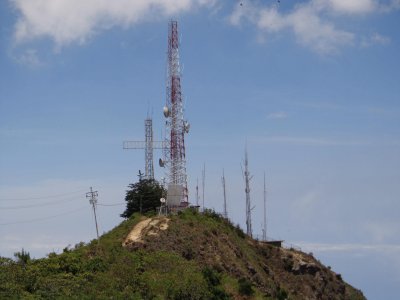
[(312, 86)]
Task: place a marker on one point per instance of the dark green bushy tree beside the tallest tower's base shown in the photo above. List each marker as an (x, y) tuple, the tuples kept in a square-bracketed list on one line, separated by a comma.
[(143, 196)]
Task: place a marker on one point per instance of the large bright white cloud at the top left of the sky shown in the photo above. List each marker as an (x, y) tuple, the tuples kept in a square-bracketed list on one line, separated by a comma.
[(75, 21)]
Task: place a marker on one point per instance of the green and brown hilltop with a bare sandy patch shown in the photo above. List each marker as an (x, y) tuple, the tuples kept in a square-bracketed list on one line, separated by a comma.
[(184, 256)]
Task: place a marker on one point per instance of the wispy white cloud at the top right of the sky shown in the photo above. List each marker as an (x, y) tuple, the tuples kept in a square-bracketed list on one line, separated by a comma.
[(314, 23)]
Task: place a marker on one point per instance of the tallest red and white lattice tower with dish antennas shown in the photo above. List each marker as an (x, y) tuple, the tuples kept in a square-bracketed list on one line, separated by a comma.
[(176, 125)]
